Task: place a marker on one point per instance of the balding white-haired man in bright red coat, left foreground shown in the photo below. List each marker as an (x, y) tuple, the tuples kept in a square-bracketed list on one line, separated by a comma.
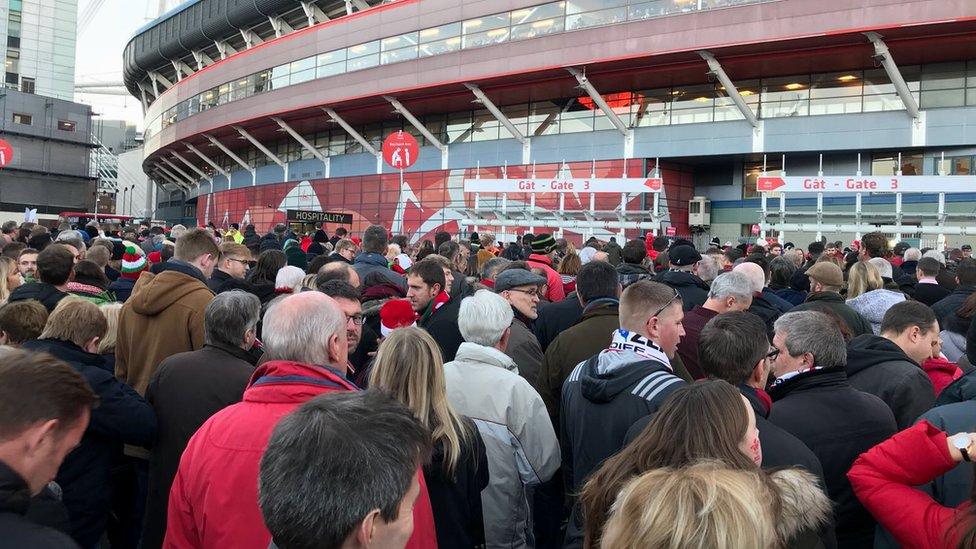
[(214, 502)]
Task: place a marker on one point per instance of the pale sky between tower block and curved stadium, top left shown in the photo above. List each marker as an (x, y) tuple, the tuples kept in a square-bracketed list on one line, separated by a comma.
[(99, 53)]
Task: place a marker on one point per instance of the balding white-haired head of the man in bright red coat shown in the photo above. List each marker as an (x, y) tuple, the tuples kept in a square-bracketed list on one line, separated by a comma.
[(298, 327)]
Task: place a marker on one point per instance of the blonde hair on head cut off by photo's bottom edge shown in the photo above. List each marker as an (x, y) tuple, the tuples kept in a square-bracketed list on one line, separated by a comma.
[(704, 505)]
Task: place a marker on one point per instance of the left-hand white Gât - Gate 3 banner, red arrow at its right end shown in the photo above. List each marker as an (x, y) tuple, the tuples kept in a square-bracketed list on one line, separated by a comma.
[(576, 185)]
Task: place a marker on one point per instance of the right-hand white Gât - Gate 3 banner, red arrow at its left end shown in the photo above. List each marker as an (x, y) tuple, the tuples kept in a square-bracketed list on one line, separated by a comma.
[(869, 184)]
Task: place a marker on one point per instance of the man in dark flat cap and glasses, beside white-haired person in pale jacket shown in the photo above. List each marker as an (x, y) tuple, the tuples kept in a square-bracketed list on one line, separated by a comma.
[(520, 288)]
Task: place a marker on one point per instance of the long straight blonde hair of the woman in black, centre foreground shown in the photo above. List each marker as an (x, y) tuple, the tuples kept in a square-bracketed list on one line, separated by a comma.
[(409, 367)]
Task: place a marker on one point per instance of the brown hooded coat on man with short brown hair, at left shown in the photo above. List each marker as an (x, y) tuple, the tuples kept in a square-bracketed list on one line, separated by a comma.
[(164, 316)]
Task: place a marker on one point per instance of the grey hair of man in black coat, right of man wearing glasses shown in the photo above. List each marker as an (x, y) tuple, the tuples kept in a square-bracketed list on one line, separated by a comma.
[(815, 333)]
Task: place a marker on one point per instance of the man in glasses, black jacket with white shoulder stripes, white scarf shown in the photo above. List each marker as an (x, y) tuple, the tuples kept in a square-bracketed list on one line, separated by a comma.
[(607, 393)]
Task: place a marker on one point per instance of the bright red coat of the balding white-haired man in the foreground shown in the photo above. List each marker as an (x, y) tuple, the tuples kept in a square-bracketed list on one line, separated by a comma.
[(214, 502)]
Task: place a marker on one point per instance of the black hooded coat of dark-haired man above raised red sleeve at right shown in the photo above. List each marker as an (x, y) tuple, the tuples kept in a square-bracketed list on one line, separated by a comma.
[(877, 366)]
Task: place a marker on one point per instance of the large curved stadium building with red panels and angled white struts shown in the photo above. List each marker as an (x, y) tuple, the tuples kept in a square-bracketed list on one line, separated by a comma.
[(578, 116)]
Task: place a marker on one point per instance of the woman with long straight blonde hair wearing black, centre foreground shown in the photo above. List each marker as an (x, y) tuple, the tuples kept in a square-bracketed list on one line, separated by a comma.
[(409, 367)]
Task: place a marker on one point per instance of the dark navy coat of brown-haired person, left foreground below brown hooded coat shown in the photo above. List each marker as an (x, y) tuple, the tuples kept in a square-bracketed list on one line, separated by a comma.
[(122, 417)]
